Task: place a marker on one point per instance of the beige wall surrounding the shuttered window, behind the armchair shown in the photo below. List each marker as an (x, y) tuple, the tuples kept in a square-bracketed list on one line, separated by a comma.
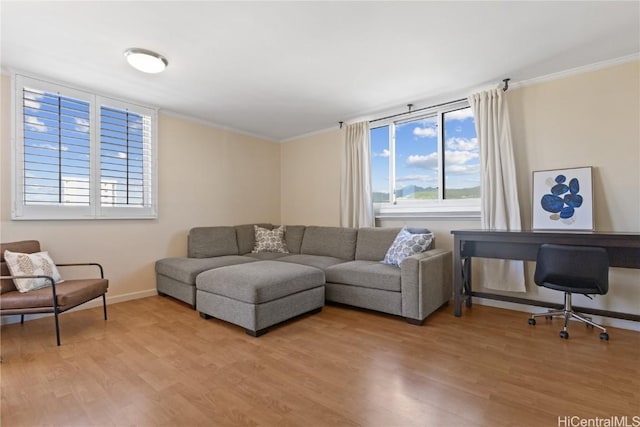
[(207, 176)]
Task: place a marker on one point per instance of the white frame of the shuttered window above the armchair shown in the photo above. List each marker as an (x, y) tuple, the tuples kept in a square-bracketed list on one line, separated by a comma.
[(23, 211)]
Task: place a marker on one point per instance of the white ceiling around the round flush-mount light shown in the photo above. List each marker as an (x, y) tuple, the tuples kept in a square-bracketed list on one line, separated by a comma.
[(284, 69)]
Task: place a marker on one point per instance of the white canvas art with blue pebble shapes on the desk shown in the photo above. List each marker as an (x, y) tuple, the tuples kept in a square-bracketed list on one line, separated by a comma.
[(562, 199)]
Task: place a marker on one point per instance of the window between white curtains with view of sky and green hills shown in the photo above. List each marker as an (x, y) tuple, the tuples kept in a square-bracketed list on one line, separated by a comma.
[(426, 162)]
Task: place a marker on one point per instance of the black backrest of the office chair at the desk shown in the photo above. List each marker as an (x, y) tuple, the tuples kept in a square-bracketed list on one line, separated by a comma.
[(577, 269)]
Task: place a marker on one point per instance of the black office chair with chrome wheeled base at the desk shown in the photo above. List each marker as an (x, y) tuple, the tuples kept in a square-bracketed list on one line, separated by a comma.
[(572, 270)]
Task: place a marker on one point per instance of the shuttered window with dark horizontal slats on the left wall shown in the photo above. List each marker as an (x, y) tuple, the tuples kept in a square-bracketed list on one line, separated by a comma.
[(81, 156)]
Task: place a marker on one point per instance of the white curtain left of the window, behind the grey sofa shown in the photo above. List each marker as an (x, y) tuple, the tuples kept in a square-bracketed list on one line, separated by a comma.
[(356, 206)]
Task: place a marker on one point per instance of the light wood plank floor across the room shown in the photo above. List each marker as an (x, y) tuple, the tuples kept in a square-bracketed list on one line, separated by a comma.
[(156, 362)]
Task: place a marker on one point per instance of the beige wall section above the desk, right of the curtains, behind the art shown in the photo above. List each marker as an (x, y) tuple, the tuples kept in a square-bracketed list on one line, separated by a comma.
[(591, 119)]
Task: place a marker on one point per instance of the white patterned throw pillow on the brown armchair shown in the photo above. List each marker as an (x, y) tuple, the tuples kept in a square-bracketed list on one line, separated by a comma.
[(39, 263)]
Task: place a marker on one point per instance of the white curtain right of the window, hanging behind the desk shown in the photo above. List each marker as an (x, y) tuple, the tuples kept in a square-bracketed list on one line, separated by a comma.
[(500, 208)]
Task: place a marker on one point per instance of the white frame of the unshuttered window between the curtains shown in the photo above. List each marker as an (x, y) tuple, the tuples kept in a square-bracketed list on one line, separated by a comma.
[(440, 208)]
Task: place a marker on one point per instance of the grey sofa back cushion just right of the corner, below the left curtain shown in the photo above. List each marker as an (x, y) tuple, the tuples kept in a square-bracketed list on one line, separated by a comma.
[(337, 242)]
